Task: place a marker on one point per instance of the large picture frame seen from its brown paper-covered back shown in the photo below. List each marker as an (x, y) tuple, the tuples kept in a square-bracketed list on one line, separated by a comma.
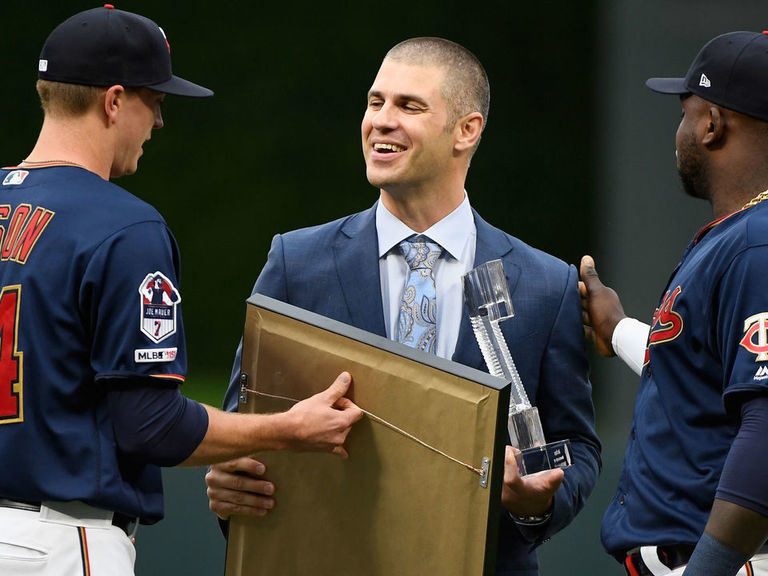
[(420, 493)]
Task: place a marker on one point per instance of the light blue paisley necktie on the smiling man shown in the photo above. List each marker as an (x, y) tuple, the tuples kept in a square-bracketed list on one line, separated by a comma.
[(417, 321)]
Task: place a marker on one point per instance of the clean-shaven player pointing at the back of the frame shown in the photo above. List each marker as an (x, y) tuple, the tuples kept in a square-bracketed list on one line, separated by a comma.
[(92, 346)]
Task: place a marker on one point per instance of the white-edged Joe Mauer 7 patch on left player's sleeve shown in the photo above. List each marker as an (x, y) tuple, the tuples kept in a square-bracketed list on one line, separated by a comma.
[(158, 300)]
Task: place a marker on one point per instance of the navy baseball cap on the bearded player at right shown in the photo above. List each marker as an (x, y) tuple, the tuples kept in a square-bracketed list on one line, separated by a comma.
[(731, 71)]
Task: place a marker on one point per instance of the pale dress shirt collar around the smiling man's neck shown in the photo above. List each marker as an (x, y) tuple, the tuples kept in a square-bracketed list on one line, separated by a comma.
[(452, 232)]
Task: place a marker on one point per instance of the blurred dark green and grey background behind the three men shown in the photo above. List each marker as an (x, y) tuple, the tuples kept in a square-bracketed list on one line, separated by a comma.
[(577, 158)]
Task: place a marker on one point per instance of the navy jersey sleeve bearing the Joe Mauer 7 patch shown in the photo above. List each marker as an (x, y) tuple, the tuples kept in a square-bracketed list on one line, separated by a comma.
[(130, 298)]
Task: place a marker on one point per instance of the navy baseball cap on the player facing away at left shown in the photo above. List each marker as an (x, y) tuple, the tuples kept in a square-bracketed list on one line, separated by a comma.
[(105, 46)]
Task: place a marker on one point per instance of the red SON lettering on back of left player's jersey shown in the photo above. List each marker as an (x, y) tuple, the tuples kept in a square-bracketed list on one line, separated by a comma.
[(22, 232)]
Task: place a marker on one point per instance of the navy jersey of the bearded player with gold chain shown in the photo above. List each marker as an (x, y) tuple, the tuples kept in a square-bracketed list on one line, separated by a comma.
[(708, 341)]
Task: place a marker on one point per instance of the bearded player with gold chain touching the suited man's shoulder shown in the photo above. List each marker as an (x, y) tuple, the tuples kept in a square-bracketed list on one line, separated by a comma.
[(693, 494)]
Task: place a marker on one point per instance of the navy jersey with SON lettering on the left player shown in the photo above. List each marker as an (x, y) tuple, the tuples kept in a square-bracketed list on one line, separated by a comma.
[(90, 300)]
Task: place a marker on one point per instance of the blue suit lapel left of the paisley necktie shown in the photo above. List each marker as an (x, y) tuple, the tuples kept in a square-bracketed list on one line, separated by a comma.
[(357, 264)]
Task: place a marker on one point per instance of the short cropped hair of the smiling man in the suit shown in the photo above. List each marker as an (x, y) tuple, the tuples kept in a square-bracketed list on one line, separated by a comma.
[(465, 88)]
